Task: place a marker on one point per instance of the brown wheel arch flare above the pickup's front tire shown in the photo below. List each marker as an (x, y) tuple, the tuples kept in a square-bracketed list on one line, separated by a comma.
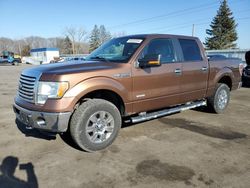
[(100, 83)]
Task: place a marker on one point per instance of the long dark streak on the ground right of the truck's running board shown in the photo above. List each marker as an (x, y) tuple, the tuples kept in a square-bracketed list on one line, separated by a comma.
[(203, 129)]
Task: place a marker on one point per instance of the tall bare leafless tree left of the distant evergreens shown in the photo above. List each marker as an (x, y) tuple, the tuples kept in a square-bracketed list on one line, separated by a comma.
[(76, 36)]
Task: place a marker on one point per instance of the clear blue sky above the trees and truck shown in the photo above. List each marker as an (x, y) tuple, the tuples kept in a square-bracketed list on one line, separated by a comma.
[(49, 18)]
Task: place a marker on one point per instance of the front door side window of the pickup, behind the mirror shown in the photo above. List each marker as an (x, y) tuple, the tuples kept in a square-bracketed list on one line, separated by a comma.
[(162, 47)]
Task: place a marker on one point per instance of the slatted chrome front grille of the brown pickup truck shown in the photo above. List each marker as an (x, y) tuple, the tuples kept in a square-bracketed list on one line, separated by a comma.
[(26, 88)]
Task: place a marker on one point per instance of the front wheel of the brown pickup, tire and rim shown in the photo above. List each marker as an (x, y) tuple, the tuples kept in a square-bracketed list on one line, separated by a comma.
[(95, 124)]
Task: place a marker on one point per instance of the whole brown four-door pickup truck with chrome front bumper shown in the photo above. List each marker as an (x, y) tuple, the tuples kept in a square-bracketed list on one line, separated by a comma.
[(138, 78)]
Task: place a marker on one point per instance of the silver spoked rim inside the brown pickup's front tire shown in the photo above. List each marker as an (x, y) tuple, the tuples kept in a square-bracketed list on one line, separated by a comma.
[(100, 127)]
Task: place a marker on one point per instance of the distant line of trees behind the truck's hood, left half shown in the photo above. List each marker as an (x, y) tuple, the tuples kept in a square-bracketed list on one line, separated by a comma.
[(75, 40)]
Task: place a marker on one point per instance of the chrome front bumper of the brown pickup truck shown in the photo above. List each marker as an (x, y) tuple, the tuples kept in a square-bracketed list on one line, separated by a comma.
[(51, 122)]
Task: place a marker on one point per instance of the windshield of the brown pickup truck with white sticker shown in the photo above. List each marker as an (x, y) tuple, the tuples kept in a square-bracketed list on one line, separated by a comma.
[(116, 50)]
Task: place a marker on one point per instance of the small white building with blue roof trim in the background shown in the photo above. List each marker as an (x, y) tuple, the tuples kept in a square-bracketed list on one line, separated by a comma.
[(43, 55)]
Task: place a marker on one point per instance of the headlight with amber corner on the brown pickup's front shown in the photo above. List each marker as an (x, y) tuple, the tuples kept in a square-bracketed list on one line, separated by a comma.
[(51, 90)]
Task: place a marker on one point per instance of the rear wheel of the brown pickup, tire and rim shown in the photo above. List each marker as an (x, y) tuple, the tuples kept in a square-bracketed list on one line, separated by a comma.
[(220, 99)]
